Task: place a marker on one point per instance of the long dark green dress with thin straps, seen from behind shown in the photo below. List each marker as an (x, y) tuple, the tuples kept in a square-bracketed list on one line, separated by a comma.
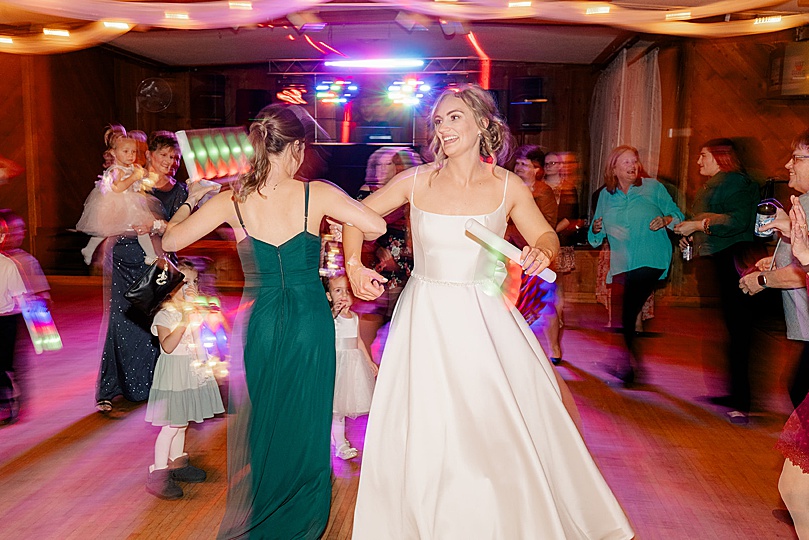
[(282, 489)]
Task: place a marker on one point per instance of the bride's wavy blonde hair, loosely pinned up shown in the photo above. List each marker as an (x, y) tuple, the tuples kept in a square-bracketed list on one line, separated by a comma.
[(495, 140)]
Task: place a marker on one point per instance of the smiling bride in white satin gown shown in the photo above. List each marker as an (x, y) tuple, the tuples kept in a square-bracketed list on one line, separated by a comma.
[(470, 434)]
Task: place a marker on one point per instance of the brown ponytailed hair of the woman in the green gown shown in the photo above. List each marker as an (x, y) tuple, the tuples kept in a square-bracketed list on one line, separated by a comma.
[(276, 127)]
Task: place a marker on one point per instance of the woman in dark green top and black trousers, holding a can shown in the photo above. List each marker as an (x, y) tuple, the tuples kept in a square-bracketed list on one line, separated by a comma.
[(722, 230)]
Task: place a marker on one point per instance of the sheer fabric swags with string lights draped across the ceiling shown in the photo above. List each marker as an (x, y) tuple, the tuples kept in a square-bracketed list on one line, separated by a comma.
[(222, 14)]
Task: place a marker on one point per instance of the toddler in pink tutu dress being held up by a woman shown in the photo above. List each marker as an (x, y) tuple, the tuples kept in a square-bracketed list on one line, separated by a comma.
[(117, 203)]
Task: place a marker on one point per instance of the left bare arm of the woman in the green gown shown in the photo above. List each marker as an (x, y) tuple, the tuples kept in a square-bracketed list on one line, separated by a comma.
[(185, 228)]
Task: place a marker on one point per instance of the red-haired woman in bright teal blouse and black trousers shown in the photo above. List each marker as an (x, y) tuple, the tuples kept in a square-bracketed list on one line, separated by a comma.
[(633, 213)]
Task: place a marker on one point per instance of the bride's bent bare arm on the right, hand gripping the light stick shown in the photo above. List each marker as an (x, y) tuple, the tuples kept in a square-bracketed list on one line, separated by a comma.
[(543, 244)]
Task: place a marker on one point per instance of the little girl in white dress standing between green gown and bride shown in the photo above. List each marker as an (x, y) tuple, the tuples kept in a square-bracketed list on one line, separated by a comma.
[(354, 379)]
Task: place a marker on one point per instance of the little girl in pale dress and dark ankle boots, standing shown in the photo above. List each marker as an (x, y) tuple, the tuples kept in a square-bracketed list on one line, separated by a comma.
[(184, 388)]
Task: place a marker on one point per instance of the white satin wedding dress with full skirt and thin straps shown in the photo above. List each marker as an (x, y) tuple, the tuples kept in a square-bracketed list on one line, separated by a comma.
[(467, 437)]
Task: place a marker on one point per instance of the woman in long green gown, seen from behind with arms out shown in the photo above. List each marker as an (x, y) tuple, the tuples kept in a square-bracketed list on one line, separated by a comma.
[(278, 434)]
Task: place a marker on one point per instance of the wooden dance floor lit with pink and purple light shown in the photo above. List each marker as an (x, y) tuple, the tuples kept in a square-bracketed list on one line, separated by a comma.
[(679, 469)]
